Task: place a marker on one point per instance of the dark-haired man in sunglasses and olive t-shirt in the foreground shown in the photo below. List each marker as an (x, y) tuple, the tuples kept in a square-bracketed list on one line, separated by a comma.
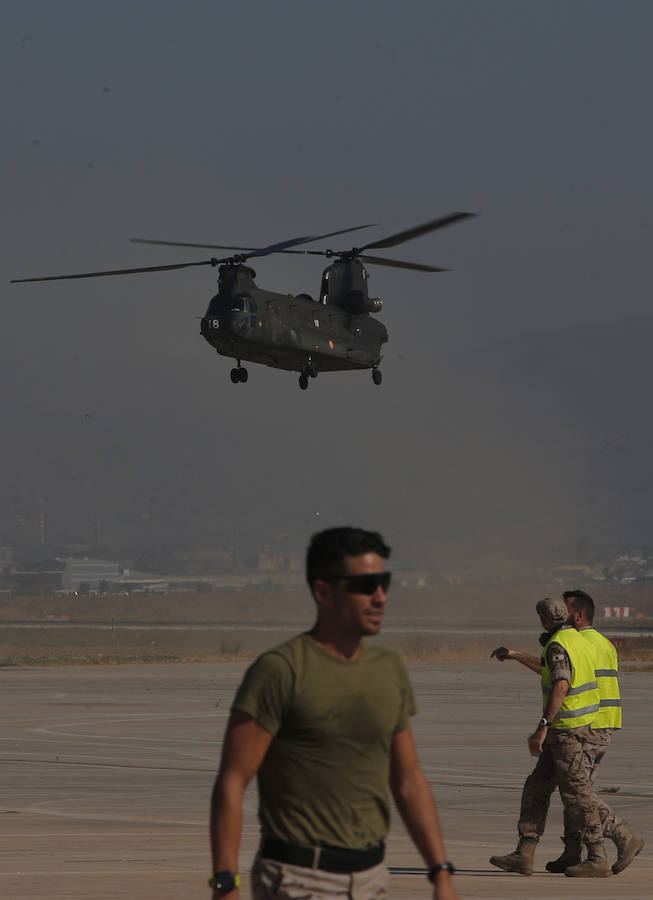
[(323, 722)]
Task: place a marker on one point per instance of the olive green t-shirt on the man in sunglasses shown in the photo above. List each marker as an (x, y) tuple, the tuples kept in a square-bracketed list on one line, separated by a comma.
[(324, 779)]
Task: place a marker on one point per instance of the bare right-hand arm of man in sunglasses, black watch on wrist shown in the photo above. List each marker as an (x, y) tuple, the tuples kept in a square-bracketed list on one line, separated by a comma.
[(414, 800)]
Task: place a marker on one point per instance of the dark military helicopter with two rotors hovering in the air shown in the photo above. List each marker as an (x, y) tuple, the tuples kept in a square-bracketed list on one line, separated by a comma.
[(336, 332)]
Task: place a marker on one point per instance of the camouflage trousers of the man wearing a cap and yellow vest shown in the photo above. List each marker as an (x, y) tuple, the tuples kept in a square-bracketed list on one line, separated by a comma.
[(567, 762)]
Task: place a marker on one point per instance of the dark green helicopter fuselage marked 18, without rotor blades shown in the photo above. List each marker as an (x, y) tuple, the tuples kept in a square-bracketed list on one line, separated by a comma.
[(289, 332)]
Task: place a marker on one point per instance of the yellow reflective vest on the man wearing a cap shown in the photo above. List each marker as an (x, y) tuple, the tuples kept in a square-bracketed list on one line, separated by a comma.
[(581, 705)]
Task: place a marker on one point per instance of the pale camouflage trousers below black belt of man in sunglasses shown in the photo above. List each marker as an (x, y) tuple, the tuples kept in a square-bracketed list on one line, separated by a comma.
[(273, 880)]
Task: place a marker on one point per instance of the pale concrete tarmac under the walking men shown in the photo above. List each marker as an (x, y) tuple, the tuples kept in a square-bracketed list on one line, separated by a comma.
[(107, 770)]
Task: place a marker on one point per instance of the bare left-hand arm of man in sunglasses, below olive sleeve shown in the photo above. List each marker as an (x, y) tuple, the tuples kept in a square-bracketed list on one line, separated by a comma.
[(243, 751)]
